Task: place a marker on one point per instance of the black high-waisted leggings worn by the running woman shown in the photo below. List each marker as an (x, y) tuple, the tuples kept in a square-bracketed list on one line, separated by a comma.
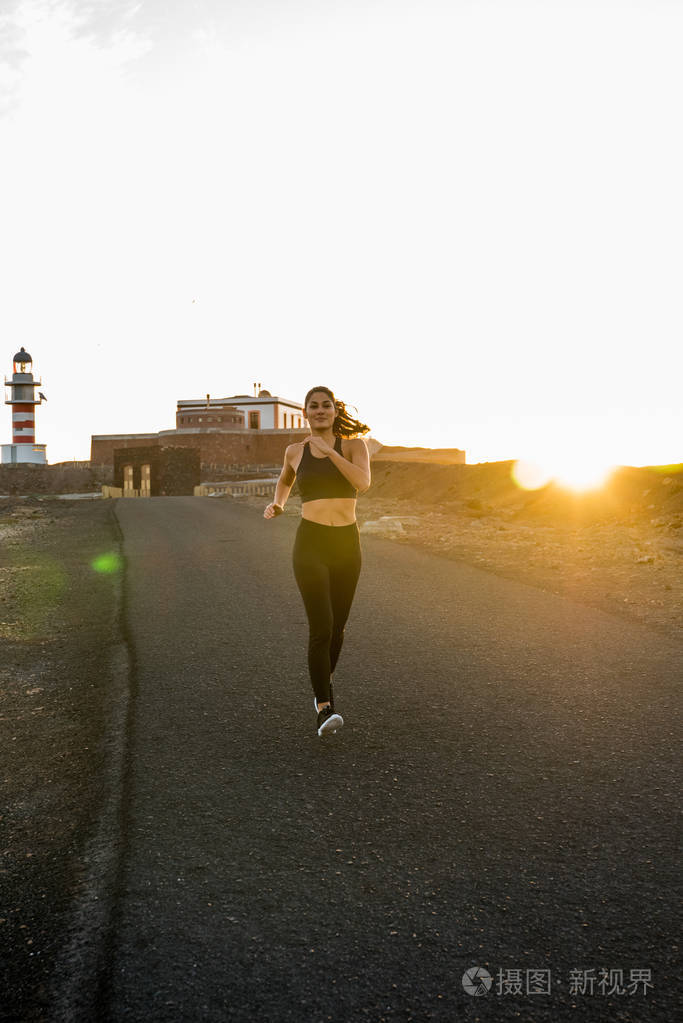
[(328, 563)]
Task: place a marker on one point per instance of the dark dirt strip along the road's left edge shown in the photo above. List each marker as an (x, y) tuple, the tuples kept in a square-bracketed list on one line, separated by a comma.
[(59, 625)]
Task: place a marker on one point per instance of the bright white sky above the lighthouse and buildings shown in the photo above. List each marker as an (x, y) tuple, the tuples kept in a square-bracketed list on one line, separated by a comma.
[(466, 217)]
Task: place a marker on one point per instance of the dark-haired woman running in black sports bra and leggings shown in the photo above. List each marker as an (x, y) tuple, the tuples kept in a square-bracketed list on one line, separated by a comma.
[(331, 468)]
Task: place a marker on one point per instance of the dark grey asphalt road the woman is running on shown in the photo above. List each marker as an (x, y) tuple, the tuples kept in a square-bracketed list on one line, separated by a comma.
[(503, 795)]
